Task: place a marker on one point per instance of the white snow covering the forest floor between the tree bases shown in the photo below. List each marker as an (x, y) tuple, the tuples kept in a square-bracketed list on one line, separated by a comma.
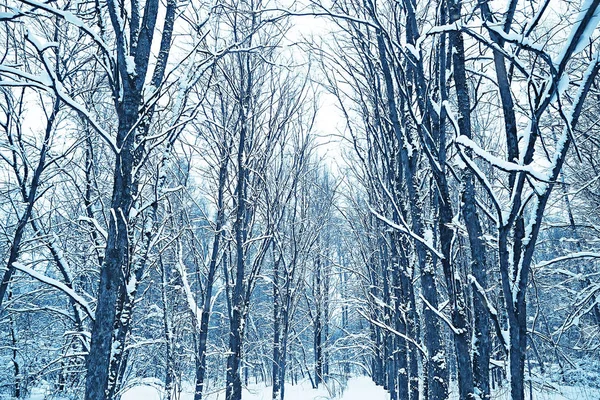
[(358, 388)]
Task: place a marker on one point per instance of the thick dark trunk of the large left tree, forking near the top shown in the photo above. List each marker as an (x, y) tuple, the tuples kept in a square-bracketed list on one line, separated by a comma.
[(131, 147)]
